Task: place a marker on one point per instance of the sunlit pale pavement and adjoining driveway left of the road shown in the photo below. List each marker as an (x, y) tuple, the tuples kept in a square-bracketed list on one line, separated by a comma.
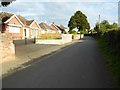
[(27, 53)]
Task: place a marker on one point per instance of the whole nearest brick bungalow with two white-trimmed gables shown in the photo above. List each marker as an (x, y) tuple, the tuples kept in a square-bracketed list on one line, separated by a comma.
[(18, 26)]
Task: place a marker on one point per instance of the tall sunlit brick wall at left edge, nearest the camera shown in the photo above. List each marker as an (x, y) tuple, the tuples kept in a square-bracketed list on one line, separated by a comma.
[(7, 48)]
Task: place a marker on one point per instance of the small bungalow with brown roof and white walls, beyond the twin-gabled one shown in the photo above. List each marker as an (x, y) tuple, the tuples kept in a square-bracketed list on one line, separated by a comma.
[(46, 29)]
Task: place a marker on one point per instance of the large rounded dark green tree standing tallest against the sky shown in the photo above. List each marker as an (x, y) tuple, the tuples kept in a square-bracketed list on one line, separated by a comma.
[(79, 21)]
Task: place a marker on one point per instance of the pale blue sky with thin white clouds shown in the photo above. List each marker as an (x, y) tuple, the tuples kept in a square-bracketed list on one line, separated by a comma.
[(60, 11)]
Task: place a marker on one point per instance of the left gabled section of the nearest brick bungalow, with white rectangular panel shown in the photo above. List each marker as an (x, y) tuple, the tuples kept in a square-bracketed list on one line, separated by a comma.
[(10, 23)]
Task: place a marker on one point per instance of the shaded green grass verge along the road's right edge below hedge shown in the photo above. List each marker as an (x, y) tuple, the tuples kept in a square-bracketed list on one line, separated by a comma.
[(112, 60)]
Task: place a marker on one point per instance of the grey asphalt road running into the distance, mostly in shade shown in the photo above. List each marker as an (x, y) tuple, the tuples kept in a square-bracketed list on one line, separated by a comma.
[(76, 66)]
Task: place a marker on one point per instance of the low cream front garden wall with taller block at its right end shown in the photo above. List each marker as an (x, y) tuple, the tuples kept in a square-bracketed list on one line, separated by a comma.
[(65, 39)]
